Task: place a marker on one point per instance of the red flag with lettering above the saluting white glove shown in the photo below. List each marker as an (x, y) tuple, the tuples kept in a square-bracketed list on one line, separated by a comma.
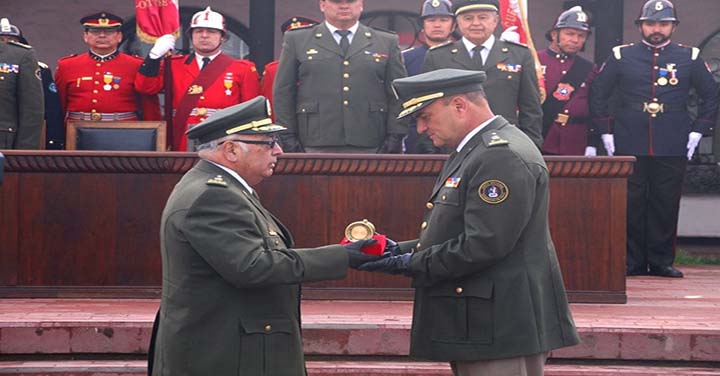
[(155, 18)]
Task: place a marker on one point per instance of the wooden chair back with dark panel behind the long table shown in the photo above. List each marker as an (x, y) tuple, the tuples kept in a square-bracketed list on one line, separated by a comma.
[(116, 135)]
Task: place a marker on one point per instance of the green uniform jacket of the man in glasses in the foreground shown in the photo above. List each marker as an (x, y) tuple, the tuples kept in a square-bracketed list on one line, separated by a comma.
[(230, 295)]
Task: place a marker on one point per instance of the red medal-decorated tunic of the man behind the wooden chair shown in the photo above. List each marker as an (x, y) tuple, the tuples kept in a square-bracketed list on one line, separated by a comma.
[(102, 88)]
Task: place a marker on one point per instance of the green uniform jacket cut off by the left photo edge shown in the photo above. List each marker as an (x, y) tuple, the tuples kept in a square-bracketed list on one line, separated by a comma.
[(21, 97)]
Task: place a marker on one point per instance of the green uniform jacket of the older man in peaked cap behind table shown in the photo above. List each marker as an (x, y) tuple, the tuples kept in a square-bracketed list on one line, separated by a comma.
[(511, 85)]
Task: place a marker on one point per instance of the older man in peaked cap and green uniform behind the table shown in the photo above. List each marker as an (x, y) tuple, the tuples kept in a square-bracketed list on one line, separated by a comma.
[(511, 85)]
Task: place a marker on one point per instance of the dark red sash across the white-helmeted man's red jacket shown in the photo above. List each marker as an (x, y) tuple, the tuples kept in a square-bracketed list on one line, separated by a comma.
[(204, 79)]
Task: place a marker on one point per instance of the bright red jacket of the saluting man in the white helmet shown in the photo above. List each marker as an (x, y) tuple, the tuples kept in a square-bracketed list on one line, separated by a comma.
[(238, 83)]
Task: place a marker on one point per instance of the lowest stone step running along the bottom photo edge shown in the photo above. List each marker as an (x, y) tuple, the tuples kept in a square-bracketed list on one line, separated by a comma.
[(341, 368)]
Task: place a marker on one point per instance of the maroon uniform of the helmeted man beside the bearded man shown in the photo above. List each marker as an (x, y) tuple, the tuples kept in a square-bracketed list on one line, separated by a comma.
[(568, 132)]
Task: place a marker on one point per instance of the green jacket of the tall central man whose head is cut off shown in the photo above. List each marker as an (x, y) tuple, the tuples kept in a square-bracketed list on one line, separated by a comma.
[(329, 99)]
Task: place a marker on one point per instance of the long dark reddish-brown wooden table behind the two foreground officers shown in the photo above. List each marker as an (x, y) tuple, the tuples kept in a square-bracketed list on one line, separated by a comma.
[(86, 224)]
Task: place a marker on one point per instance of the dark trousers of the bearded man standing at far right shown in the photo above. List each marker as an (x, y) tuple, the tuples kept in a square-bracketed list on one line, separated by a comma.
[(653, 204)]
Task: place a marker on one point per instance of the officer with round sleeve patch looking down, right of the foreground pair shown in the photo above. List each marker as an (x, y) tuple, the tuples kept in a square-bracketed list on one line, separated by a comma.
[(489, 295)]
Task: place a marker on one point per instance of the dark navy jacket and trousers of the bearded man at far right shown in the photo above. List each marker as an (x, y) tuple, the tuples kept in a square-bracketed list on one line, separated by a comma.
[(651, 122)]
